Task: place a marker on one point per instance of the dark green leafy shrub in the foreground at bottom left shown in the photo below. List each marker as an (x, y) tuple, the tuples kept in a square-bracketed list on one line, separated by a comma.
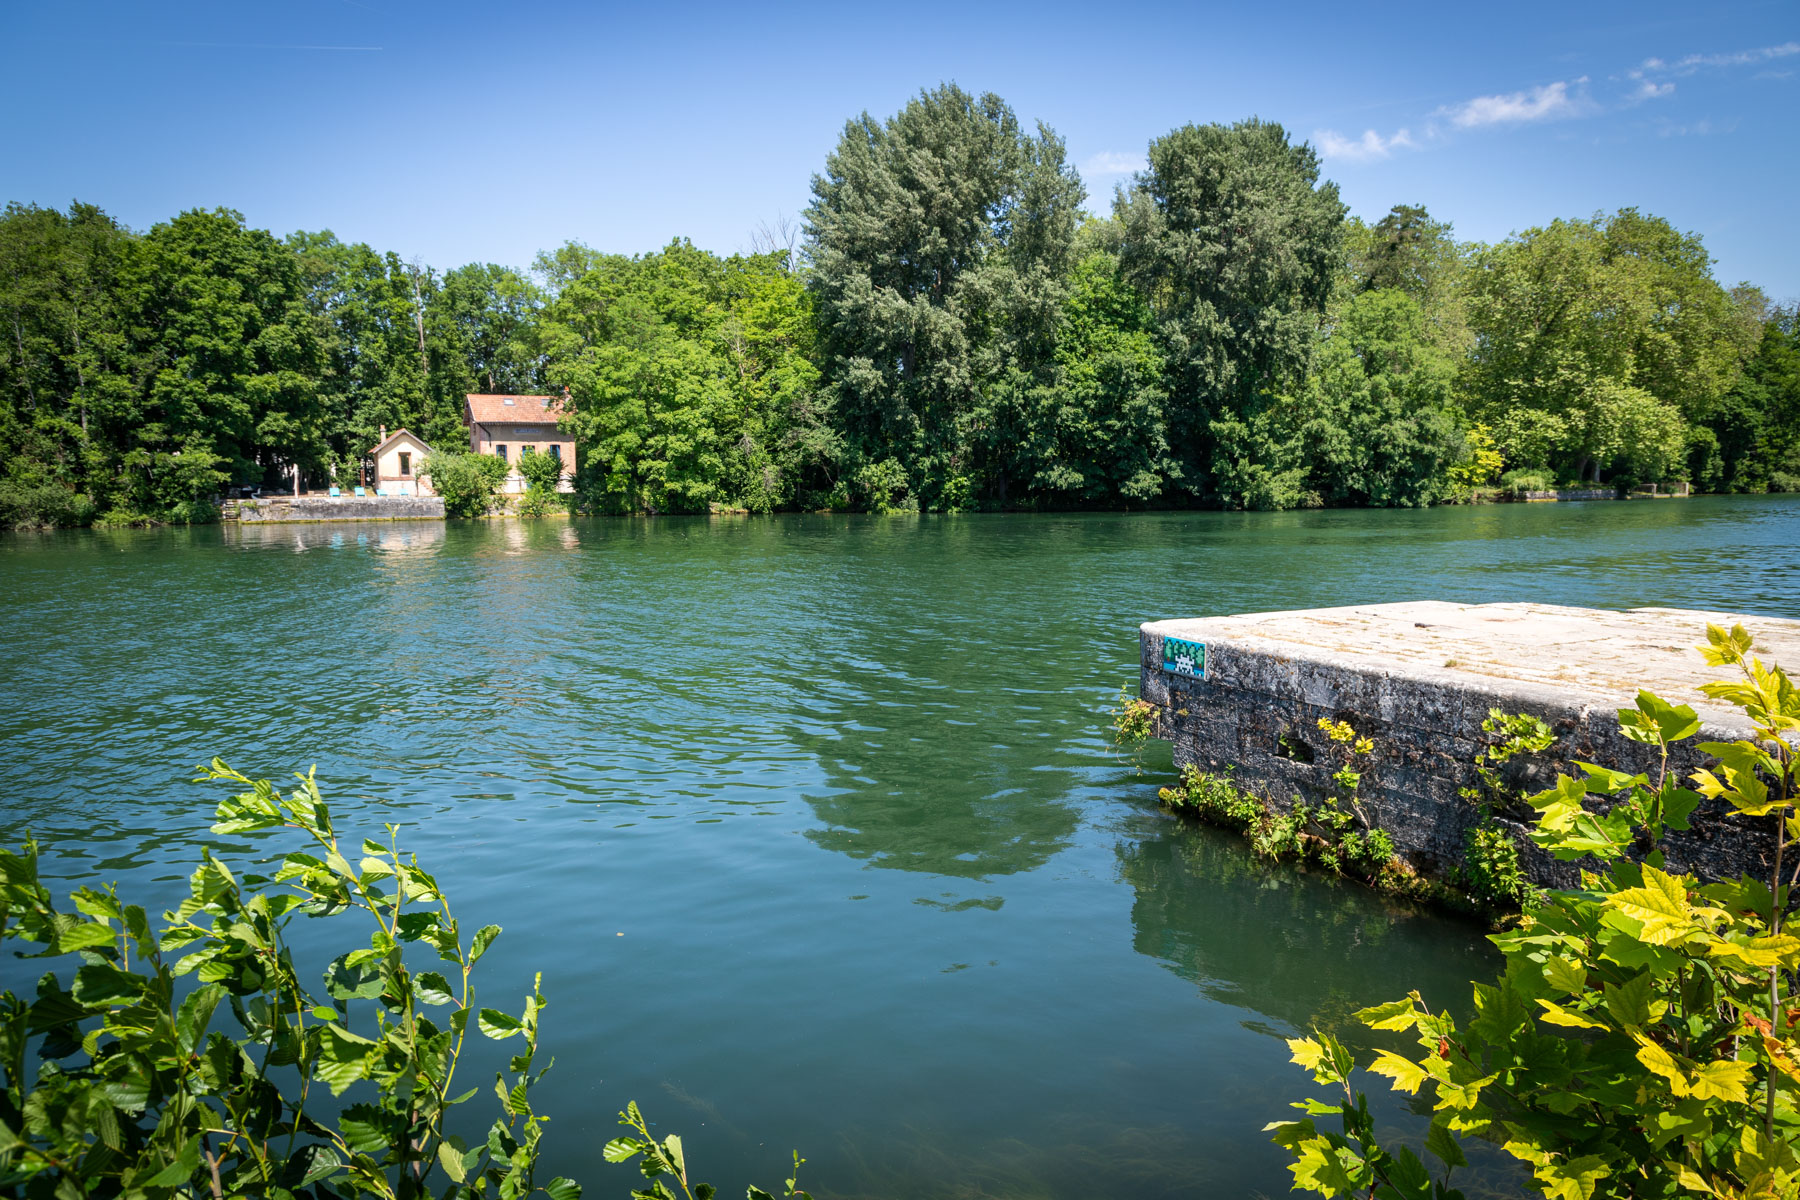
[(197, 1061)]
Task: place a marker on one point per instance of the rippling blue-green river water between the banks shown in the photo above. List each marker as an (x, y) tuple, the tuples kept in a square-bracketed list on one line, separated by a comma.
[(809, 821)]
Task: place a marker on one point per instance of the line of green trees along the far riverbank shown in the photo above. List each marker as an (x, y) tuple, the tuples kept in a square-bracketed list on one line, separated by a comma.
[(953, 327)]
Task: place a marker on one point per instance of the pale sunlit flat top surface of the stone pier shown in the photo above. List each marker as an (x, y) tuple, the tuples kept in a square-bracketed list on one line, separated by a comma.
[(1583, 654)]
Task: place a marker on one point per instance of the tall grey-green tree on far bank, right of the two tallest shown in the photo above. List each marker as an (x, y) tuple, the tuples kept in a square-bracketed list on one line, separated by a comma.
[(1236, 242)]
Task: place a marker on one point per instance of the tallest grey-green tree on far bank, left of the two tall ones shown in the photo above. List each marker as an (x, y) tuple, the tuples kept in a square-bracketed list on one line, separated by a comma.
[(940, 242)]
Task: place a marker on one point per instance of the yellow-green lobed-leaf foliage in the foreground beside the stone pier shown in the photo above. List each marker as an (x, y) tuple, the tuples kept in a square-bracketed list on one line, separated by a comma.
[(1641, 1041)]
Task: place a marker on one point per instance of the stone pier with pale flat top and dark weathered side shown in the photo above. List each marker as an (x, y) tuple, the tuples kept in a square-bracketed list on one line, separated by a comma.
[(1246, 694)]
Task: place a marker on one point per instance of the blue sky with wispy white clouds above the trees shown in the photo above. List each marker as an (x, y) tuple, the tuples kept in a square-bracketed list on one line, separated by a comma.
[(462, 132)]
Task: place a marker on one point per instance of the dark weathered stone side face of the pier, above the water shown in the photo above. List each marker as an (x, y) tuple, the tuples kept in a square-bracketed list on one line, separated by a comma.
[(1426, 733)]
